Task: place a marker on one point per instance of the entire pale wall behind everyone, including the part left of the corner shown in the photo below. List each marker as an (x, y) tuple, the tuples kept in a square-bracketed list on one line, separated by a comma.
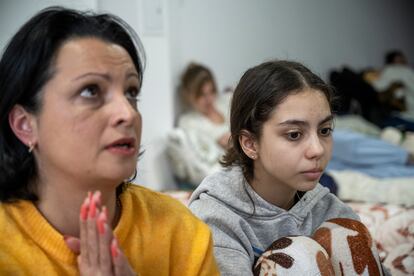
[(232, 35)]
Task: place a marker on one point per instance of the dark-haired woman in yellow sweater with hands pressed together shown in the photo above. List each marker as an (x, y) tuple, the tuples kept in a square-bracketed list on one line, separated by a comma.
[(69, 125)]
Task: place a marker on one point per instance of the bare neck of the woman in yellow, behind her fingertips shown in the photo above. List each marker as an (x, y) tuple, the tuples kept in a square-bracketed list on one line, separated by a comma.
[(60, 204)]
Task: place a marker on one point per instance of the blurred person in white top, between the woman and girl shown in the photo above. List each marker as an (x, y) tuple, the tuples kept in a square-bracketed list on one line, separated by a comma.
[(207, 112)]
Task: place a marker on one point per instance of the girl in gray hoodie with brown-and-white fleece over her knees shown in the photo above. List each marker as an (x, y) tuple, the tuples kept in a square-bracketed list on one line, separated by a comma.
[(266, 209)]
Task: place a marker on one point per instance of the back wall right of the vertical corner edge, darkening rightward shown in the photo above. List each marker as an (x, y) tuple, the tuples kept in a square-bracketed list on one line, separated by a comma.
[(233, 35)]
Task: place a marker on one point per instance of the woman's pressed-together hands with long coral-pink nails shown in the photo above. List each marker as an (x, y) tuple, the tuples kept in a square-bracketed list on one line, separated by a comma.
[(99, 250)]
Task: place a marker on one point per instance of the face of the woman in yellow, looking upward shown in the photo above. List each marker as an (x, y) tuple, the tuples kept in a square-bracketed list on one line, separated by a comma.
[(89, 126)]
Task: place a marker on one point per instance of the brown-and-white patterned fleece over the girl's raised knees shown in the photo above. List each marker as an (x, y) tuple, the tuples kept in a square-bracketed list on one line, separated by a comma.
[(338, 247)]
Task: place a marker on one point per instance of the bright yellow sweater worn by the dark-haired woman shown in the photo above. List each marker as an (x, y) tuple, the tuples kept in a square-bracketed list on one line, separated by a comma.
[(158, 234)]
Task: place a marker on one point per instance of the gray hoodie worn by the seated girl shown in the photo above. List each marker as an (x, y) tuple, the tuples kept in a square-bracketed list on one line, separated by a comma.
[(243, 230)]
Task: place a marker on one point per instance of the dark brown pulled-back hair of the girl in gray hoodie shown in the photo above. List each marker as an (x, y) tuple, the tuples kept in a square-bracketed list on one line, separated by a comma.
[(260, 90)]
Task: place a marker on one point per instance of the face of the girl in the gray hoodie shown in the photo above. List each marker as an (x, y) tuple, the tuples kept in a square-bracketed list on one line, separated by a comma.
[(296, 142)]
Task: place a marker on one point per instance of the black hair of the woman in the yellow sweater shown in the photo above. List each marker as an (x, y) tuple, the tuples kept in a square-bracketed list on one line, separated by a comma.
[(27, 64)]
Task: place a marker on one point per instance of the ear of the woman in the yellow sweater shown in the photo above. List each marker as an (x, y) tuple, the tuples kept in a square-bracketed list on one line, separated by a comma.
[(23, 125)]
